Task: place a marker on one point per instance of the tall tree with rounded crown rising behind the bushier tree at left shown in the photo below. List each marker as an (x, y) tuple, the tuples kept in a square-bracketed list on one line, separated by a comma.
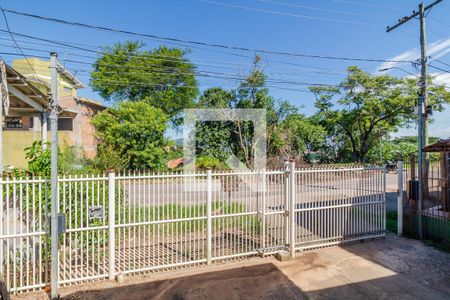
[(162, 77)]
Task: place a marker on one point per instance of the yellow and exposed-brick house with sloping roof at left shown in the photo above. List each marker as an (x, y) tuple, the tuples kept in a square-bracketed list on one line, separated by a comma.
[(25, 116)]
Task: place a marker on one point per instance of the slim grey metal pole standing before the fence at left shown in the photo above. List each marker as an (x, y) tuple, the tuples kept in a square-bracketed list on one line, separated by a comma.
[(54, 177)]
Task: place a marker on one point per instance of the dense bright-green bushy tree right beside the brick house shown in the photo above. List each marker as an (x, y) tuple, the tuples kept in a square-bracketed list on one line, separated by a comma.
[(132, 131)]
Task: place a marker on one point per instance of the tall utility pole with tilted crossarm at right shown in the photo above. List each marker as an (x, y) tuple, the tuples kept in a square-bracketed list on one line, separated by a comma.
[(422, 117)]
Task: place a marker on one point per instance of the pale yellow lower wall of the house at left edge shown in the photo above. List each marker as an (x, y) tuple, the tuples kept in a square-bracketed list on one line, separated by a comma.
[(14, 143)]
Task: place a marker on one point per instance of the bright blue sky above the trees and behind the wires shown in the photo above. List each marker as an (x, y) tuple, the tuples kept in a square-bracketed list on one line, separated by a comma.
[(353, 28)]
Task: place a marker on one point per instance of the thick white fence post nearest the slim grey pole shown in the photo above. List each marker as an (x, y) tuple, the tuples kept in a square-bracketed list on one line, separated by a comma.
[(111, 221)]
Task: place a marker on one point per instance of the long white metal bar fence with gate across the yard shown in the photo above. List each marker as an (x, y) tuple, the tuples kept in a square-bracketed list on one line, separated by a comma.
[(131, 223)]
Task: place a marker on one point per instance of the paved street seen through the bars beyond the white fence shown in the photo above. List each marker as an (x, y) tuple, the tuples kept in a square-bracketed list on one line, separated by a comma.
[(157, 193)]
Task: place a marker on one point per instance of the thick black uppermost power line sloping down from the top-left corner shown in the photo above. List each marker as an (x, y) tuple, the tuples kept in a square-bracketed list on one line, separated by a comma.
[(253, 50)]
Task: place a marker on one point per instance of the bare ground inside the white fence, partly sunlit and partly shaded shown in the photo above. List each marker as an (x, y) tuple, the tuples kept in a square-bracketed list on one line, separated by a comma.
[(394, 268)]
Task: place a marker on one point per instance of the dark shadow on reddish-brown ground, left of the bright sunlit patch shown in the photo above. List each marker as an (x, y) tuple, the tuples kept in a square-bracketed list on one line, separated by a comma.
[(264, 281)]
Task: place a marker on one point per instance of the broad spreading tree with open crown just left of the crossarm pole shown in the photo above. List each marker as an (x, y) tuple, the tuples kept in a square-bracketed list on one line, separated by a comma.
[(369, 106)]
